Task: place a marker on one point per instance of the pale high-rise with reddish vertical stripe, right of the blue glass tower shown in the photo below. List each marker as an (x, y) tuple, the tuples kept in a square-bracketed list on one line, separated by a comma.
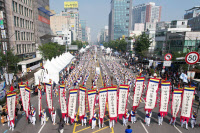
[(148, 12)]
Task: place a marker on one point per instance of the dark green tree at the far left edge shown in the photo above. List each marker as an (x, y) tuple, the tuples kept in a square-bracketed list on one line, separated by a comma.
[(9, 60)]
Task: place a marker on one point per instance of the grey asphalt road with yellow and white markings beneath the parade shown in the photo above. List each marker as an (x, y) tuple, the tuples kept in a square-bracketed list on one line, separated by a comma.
[(22, 126)]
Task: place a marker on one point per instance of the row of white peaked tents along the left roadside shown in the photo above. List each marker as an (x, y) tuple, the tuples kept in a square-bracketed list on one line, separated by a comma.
[(53, 68)]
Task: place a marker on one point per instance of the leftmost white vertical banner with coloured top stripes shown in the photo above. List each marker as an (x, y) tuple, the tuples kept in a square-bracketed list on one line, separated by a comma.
[(11, 99)]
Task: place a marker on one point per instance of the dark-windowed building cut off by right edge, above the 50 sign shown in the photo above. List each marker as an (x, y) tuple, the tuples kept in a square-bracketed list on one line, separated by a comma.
[(193, 16)]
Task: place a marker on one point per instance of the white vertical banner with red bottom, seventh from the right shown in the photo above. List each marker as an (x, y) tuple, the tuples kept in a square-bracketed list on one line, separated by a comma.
[(112, 103)]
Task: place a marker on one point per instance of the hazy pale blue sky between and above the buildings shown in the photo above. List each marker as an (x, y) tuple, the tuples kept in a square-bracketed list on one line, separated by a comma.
[(95, 12)]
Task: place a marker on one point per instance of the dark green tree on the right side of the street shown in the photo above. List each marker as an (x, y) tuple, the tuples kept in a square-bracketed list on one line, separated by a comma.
[(142, 44)]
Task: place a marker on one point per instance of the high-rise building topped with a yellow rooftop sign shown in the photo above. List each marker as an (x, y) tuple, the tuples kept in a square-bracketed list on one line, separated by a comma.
[(72, 9)]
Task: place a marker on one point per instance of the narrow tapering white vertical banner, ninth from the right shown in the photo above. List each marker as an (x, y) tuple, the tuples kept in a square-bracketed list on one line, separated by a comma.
[(91, 102)]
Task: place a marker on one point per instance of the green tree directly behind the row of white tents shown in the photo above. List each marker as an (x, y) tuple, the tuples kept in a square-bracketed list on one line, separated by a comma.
[(50, 50)]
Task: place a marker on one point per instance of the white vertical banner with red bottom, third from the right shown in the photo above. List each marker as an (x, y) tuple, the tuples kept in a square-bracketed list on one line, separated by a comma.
[(164, 98)]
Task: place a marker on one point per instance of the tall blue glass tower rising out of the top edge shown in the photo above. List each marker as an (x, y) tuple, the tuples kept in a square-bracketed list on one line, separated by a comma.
[(120, 19)]
